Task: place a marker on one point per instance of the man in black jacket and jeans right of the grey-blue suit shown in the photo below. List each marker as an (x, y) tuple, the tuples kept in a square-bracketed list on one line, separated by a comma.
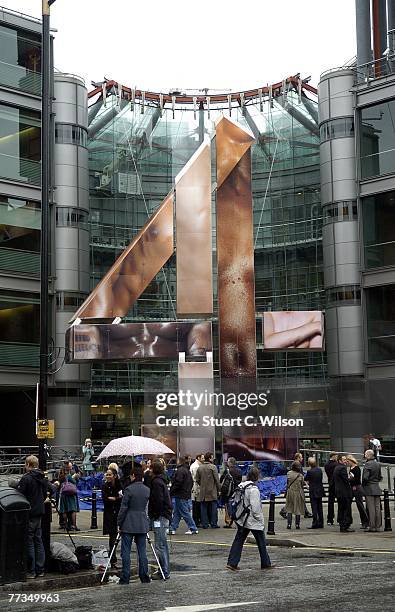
[(160, 511)]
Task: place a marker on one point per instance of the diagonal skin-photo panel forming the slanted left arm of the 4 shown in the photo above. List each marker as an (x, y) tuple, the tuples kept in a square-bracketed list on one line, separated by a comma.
[(134, 269)]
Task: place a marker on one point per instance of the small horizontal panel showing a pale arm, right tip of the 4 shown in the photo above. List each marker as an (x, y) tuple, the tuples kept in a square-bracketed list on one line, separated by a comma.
[(294, 330)]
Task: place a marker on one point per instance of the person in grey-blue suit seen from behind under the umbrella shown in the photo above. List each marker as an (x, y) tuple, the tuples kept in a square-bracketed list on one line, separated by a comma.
[(133, 522)]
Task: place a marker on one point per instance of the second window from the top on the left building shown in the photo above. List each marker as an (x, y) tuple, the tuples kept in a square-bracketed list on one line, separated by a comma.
[(20, 145)]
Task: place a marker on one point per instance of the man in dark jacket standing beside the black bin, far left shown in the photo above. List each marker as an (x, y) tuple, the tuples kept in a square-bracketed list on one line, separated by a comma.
[(34, 487)]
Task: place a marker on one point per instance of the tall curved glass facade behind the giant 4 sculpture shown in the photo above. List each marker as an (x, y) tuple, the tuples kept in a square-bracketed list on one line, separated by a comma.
[(135, 153)]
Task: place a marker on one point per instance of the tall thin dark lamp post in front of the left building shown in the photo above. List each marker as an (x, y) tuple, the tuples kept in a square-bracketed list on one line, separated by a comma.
[(45, 193)]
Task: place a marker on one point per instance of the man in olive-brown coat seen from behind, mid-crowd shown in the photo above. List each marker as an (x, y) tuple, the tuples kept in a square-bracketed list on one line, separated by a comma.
[(208, 481)]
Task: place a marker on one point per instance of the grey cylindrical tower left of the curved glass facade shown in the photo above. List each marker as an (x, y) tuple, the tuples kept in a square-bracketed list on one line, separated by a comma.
[(69, 404)]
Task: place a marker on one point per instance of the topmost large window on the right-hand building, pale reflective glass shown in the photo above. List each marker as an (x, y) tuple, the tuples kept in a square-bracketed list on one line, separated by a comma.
[(378, 139)]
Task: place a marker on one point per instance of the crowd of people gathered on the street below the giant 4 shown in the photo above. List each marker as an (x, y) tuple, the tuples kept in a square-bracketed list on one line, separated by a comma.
[(141, 497)]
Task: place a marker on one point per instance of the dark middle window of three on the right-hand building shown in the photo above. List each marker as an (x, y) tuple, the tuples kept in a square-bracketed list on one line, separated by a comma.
[(379, 229)]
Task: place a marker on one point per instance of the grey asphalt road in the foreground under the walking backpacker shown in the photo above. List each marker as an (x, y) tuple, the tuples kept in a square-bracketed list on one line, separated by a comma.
[(303, 580)]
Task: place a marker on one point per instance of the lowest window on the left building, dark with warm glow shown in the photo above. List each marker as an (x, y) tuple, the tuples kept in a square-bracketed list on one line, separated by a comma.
[(19, 317)]
